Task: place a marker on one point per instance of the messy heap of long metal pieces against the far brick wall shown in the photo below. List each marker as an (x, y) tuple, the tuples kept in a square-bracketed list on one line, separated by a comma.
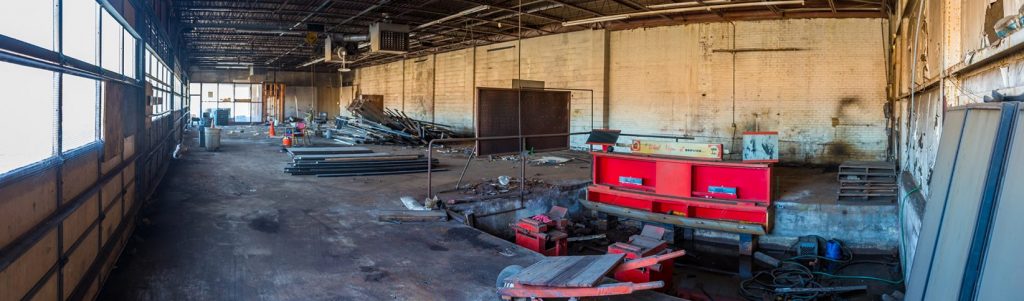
[(376, 125)]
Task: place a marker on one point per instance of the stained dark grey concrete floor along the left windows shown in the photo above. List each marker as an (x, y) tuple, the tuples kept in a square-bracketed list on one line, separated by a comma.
[(231, 226)]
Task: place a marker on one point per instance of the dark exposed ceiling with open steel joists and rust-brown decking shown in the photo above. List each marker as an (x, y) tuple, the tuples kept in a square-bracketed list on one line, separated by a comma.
[(272, 34)]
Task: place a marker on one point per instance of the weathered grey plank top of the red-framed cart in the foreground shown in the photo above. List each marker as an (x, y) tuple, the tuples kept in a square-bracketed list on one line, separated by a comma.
[(568, 272)]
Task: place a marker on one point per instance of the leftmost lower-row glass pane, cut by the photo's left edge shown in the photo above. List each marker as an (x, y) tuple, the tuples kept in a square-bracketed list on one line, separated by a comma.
[(30, 93)]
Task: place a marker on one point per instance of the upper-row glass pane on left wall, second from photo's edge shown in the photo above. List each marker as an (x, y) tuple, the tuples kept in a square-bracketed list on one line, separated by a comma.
[(81, 30)]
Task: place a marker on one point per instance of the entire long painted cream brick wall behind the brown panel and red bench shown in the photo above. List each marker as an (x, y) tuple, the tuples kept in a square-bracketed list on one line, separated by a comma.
[(826, 100)]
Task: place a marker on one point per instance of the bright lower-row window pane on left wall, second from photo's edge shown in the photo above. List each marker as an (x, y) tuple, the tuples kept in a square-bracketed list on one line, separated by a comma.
[(80, 112)]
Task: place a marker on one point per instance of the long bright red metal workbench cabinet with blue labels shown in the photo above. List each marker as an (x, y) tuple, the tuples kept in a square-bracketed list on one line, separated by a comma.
[(694, 189)]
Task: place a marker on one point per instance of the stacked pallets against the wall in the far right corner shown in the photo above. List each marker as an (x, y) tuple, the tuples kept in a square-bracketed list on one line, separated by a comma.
[(864, 182)]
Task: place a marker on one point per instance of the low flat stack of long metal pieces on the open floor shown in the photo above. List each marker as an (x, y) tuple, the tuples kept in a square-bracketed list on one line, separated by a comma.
[(344, 162)]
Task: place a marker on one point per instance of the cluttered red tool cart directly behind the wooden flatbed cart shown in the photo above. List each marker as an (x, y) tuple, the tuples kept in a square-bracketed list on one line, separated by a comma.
[(649, 243)]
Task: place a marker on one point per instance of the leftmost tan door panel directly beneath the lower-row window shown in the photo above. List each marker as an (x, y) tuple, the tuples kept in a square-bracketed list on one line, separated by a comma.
[(26, 203)]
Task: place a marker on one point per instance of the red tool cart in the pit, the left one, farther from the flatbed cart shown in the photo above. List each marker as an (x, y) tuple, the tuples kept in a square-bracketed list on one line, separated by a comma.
[(544, 234)]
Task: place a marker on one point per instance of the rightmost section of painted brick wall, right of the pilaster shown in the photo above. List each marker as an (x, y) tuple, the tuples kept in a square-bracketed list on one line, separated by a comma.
[(826, 99)]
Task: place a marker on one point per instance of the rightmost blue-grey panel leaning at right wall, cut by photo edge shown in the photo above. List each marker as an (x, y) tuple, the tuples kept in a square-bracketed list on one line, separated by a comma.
[(1004, 250)]
